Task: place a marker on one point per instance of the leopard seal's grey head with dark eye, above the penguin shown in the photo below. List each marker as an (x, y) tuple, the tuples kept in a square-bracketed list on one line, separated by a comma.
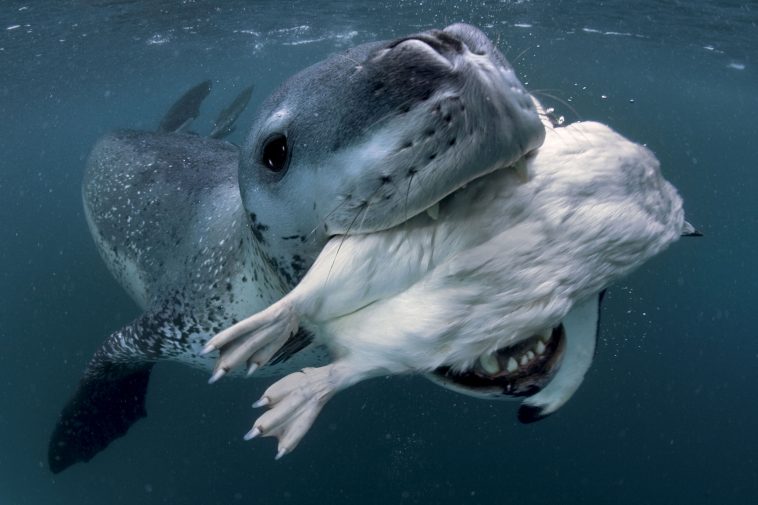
[(369, 138)]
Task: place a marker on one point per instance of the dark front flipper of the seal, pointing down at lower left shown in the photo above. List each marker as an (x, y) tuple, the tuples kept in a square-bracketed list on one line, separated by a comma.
[(109, 399)]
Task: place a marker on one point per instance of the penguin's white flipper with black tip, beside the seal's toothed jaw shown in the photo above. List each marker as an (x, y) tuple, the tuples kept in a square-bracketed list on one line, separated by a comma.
[(581, 327)]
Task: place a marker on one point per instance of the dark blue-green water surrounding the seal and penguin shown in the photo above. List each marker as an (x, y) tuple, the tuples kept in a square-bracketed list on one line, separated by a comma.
[(668, 414)]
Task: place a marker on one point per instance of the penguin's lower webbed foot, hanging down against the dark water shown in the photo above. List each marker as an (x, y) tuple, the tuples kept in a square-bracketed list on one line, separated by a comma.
[(294, 402)]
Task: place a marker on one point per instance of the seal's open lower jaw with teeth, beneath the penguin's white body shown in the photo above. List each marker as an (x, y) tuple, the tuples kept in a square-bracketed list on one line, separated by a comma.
[(520, 370)]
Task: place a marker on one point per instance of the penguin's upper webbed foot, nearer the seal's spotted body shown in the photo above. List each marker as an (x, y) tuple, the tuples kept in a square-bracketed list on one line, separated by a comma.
[(254, 340)]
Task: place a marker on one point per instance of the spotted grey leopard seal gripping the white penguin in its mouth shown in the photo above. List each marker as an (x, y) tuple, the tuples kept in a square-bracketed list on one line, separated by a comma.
[(201, 234)]
